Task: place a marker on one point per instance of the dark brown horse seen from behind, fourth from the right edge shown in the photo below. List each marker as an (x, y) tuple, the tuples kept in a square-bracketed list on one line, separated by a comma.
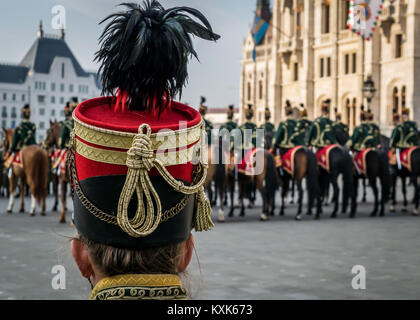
[(305, 166)]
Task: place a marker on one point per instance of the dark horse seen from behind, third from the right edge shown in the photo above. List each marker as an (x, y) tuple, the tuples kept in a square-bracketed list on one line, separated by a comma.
[(340, 163)]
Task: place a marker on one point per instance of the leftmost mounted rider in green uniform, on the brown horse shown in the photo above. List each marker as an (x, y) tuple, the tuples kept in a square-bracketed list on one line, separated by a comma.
[(25, 132)]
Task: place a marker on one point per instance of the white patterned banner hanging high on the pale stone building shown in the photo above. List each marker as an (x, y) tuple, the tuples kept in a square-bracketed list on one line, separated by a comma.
[(364, 16)]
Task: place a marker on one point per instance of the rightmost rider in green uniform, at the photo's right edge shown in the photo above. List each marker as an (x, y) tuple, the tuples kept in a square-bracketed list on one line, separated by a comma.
[(405, 134)]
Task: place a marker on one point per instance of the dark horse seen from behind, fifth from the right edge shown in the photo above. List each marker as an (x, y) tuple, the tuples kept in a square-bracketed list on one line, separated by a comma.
[(265, 179)]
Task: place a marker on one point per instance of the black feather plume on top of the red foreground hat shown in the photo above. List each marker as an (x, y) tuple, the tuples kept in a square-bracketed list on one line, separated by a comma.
[(145, 50)]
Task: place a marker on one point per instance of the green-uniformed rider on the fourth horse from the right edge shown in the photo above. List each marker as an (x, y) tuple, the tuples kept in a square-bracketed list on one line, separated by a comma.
[(288, 134)]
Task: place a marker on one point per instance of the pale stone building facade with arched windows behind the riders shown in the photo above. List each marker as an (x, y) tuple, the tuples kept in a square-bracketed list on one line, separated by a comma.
[(309, 55)]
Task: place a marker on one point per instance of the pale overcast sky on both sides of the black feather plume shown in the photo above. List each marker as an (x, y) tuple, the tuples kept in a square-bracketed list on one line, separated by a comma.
[(216, 77)]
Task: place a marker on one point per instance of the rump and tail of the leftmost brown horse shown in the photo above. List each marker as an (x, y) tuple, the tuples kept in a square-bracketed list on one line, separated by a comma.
[(36, 170)]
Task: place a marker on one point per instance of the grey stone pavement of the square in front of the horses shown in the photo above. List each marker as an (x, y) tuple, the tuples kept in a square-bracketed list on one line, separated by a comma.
[(242, 258)]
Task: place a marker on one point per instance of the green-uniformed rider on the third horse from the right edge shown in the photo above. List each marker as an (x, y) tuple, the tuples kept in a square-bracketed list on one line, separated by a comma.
[(322, 132)]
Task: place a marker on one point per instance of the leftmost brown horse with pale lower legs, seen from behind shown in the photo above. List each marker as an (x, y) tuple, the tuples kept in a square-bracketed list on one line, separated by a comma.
[(34, 172)]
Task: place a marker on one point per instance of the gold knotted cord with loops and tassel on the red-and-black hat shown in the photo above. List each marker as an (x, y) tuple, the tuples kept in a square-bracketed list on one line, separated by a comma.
[(140, 160)]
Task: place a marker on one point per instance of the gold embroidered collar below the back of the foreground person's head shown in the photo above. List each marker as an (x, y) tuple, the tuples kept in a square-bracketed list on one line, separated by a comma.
[(139, 286)]
